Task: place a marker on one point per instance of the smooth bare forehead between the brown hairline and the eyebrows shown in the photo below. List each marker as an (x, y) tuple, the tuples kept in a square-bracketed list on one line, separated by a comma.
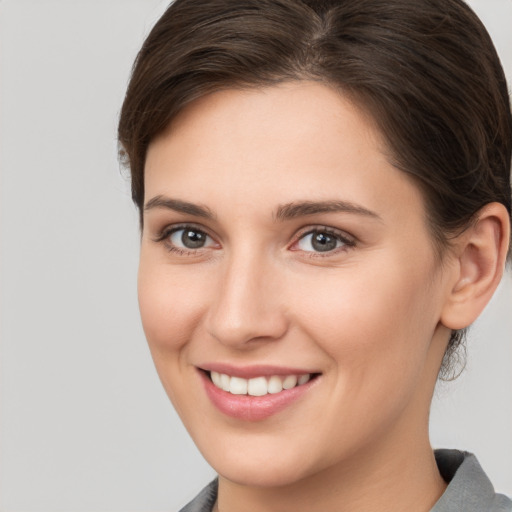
[(300, 140)]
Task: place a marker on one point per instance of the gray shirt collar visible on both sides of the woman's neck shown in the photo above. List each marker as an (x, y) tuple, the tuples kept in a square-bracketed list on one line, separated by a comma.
[(469, 489)]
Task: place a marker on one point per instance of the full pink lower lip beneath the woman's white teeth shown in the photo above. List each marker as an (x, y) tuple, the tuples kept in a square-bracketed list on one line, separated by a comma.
[(253, 408)]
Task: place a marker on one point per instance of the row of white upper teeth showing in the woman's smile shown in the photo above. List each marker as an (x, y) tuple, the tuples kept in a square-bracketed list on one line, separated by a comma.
[(258, 386)]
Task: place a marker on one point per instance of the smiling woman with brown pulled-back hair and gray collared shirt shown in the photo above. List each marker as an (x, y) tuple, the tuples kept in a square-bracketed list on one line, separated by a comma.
[(324, 196)]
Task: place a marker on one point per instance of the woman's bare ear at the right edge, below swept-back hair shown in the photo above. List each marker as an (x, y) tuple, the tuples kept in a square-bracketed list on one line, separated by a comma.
[(480, 256)]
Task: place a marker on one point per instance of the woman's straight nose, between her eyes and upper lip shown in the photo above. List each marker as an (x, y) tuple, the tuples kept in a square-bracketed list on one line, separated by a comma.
[(247, 308)]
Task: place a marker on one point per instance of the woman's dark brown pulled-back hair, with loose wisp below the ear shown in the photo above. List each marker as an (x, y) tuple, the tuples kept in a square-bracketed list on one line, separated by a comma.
[(426, 70)]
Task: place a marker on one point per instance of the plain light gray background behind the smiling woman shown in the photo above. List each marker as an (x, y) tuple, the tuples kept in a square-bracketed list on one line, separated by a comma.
[(85, 425)]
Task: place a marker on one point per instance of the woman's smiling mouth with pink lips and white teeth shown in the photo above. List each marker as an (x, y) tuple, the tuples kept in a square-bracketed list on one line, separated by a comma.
[(260, 394)]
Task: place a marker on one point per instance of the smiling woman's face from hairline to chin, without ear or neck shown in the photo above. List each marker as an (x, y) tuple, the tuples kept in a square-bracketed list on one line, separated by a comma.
[(280, 245)]
